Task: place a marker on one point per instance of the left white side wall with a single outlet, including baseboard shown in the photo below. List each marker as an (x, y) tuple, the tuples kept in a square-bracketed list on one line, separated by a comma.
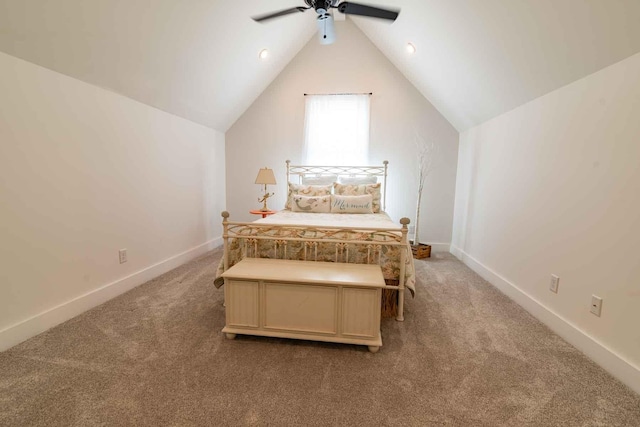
[(83, 173)]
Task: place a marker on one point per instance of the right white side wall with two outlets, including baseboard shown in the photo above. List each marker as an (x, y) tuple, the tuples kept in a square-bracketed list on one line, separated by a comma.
[(553, 187)]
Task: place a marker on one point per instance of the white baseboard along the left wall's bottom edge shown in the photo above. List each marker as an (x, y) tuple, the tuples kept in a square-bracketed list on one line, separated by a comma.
[(39, 323)]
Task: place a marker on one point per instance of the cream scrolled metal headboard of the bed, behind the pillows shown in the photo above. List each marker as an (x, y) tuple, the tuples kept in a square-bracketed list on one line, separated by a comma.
[(299, 171)]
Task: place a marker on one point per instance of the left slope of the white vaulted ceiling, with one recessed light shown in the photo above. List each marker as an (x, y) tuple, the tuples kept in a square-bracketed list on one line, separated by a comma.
[(197, 59)]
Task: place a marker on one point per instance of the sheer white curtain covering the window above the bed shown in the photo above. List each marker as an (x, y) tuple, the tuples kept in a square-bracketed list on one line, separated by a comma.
[(336, 130)]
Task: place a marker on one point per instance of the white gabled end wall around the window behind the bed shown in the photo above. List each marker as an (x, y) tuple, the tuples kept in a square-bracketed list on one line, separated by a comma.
[(271, 131)]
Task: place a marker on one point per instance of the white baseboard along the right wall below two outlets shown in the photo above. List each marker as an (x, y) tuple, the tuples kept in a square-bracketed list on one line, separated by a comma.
[(608, 359)]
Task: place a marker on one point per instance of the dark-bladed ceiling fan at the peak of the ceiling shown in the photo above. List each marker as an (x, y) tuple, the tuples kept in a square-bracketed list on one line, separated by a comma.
[(325, 19)]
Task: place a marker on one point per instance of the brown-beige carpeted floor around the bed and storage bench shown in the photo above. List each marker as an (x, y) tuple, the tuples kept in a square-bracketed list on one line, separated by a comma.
[(465, 356)]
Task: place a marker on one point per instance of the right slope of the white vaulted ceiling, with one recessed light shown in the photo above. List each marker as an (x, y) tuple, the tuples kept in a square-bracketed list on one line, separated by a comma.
[(477, 59)]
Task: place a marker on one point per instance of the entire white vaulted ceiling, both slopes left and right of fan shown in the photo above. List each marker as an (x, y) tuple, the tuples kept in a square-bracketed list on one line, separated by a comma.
[(198, 59)]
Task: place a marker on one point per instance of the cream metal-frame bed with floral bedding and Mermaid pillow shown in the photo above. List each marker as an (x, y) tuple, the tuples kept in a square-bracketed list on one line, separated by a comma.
[(305, 231)]
